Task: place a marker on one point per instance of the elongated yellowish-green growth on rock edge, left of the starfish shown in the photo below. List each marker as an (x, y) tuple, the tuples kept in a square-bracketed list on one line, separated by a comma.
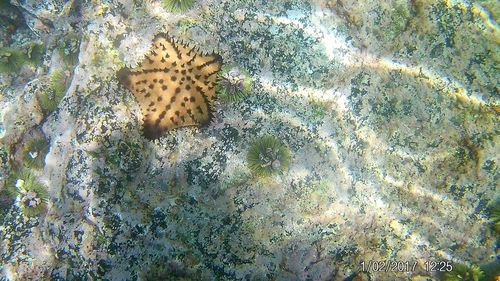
[(52, 96)]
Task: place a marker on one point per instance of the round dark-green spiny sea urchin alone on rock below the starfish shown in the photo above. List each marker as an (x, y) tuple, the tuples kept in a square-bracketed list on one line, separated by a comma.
[(267, 156)]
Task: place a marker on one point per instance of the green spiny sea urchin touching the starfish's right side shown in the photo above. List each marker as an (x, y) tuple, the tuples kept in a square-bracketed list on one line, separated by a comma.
[(233, 83)]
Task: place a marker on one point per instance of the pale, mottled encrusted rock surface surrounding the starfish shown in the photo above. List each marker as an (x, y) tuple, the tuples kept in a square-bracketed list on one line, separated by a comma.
[(390, 111)]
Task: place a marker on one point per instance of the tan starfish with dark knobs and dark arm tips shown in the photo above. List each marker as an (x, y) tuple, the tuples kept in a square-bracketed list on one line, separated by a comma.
[(174, 85)]
